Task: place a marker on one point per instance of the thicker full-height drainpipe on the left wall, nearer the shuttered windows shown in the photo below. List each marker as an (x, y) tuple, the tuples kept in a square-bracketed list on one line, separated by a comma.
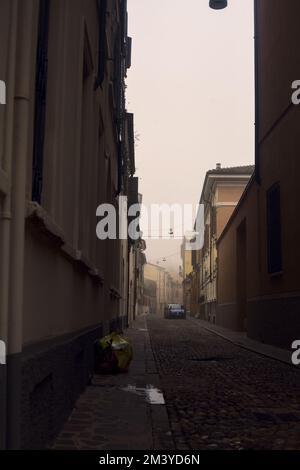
[(22, 108)]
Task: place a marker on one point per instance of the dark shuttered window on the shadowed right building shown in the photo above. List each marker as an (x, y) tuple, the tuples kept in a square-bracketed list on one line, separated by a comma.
[(274, 230)]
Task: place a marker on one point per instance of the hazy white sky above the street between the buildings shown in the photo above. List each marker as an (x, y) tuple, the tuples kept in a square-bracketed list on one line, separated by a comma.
[(191, 88)]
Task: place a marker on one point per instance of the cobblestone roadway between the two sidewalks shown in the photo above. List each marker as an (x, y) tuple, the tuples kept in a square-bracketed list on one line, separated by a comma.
[(220, 396)]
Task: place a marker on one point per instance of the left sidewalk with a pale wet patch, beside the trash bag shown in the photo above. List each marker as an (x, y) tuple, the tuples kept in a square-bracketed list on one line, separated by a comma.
[(119, 411)]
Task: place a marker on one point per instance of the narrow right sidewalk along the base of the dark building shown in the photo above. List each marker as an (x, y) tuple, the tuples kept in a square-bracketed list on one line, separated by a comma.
[(241, 339)]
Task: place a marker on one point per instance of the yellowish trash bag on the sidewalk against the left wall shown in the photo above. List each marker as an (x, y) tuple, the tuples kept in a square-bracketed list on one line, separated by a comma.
[(113, 354)]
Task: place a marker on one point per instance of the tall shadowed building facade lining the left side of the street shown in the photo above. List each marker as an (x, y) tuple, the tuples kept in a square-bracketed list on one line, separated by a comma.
[(62, 154)]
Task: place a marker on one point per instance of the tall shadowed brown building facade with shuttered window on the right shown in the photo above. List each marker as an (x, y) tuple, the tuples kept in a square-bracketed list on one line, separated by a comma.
[(259, 271)]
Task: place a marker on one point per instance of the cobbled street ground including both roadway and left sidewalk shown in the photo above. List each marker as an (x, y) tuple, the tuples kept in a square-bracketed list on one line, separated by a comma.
[(218, 396)]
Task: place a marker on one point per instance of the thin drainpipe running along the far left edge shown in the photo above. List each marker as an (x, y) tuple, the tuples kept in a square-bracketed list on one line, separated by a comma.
[(5, 215)]
